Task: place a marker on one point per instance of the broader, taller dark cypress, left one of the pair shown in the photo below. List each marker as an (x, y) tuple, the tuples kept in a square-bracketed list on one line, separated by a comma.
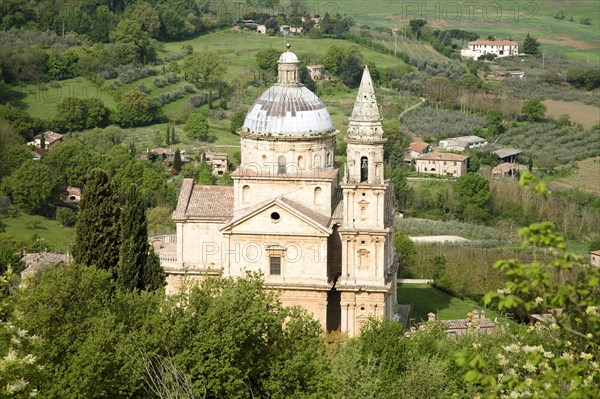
[(97, 235)]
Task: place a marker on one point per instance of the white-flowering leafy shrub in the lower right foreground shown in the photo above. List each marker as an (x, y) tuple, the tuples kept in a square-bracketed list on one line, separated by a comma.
[(563, 363)]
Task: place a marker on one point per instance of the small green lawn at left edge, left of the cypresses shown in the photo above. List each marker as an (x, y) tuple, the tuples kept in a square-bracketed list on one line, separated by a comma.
[(51, 234)]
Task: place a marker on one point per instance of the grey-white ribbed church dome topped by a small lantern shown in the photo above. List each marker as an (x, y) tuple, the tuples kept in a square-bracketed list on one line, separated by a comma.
[(288, 108)]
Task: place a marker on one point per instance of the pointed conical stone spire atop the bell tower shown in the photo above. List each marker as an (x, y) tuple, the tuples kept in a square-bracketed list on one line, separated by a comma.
[(365, 119)]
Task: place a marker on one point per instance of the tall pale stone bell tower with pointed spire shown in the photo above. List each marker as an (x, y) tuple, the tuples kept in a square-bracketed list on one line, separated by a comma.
[(368, 280)]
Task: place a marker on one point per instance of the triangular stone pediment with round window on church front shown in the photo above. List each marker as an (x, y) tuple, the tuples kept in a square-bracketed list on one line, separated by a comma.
[(282, 217)]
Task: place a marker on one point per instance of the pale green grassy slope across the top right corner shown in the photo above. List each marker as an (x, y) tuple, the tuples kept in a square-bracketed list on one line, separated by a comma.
[(573, 39)]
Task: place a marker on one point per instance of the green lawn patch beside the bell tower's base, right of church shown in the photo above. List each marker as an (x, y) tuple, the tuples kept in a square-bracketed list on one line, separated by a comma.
[(426, 298)]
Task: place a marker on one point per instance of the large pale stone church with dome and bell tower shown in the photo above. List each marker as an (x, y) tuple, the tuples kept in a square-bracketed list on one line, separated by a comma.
[(322, 235)]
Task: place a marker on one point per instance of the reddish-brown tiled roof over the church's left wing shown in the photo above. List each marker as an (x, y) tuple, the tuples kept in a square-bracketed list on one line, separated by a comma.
[(205, 202)]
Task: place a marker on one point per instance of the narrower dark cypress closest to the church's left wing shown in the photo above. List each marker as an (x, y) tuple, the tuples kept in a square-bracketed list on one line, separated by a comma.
[(134, 242)]
